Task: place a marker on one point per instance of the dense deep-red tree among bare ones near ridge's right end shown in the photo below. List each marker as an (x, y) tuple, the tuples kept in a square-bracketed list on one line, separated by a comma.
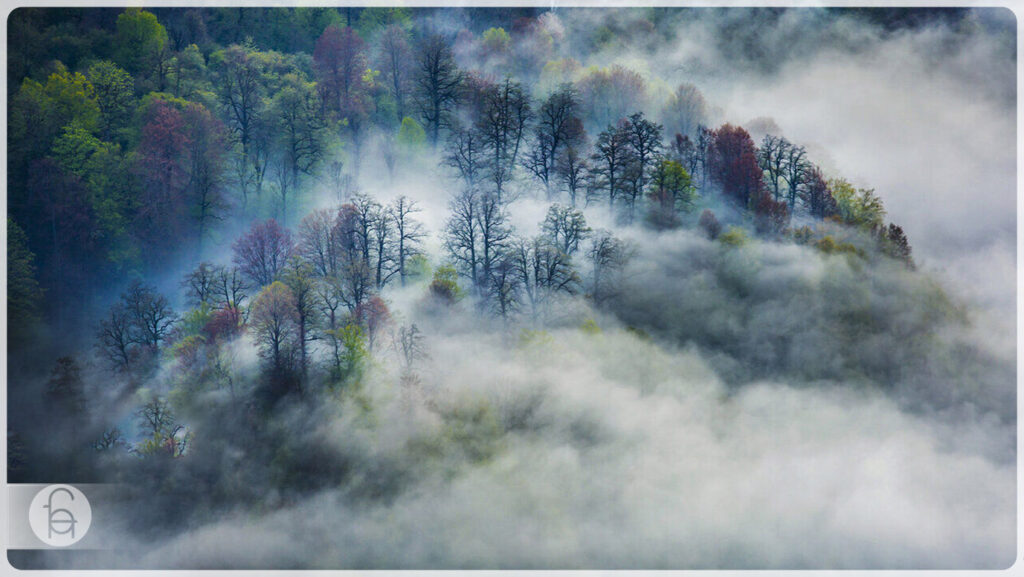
[(733, 166)]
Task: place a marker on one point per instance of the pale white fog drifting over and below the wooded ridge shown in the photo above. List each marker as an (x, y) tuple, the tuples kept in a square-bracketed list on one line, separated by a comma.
[(762, 406)]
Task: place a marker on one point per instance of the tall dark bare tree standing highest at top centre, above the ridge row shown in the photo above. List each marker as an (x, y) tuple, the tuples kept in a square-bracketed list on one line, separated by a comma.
[(438, 80)]
